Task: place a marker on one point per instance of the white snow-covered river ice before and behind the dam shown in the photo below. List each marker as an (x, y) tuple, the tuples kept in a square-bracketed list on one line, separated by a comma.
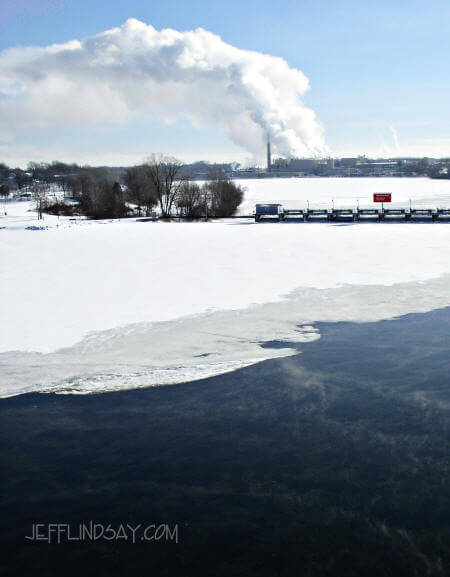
[(91, 306)]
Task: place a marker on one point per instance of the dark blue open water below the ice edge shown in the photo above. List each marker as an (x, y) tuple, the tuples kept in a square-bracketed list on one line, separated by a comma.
[(331, 463)]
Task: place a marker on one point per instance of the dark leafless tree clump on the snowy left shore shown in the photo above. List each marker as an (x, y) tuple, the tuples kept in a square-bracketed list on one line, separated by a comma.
[(161, 182)]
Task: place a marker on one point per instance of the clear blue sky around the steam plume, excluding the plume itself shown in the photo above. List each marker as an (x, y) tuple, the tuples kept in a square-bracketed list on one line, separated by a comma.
[(378, 71)]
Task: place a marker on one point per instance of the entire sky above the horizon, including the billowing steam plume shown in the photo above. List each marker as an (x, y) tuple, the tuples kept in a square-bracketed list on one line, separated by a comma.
[(337, 78)]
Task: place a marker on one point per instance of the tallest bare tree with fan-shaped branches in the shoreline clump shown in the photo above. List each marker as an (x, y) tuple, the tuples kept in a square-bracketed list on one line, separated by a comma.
[(164, 175)]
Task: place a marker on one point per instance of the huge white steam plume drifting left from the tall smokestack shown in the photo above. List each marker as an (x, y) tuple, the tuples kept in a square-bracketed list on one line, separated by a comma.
[(135, 70)]
